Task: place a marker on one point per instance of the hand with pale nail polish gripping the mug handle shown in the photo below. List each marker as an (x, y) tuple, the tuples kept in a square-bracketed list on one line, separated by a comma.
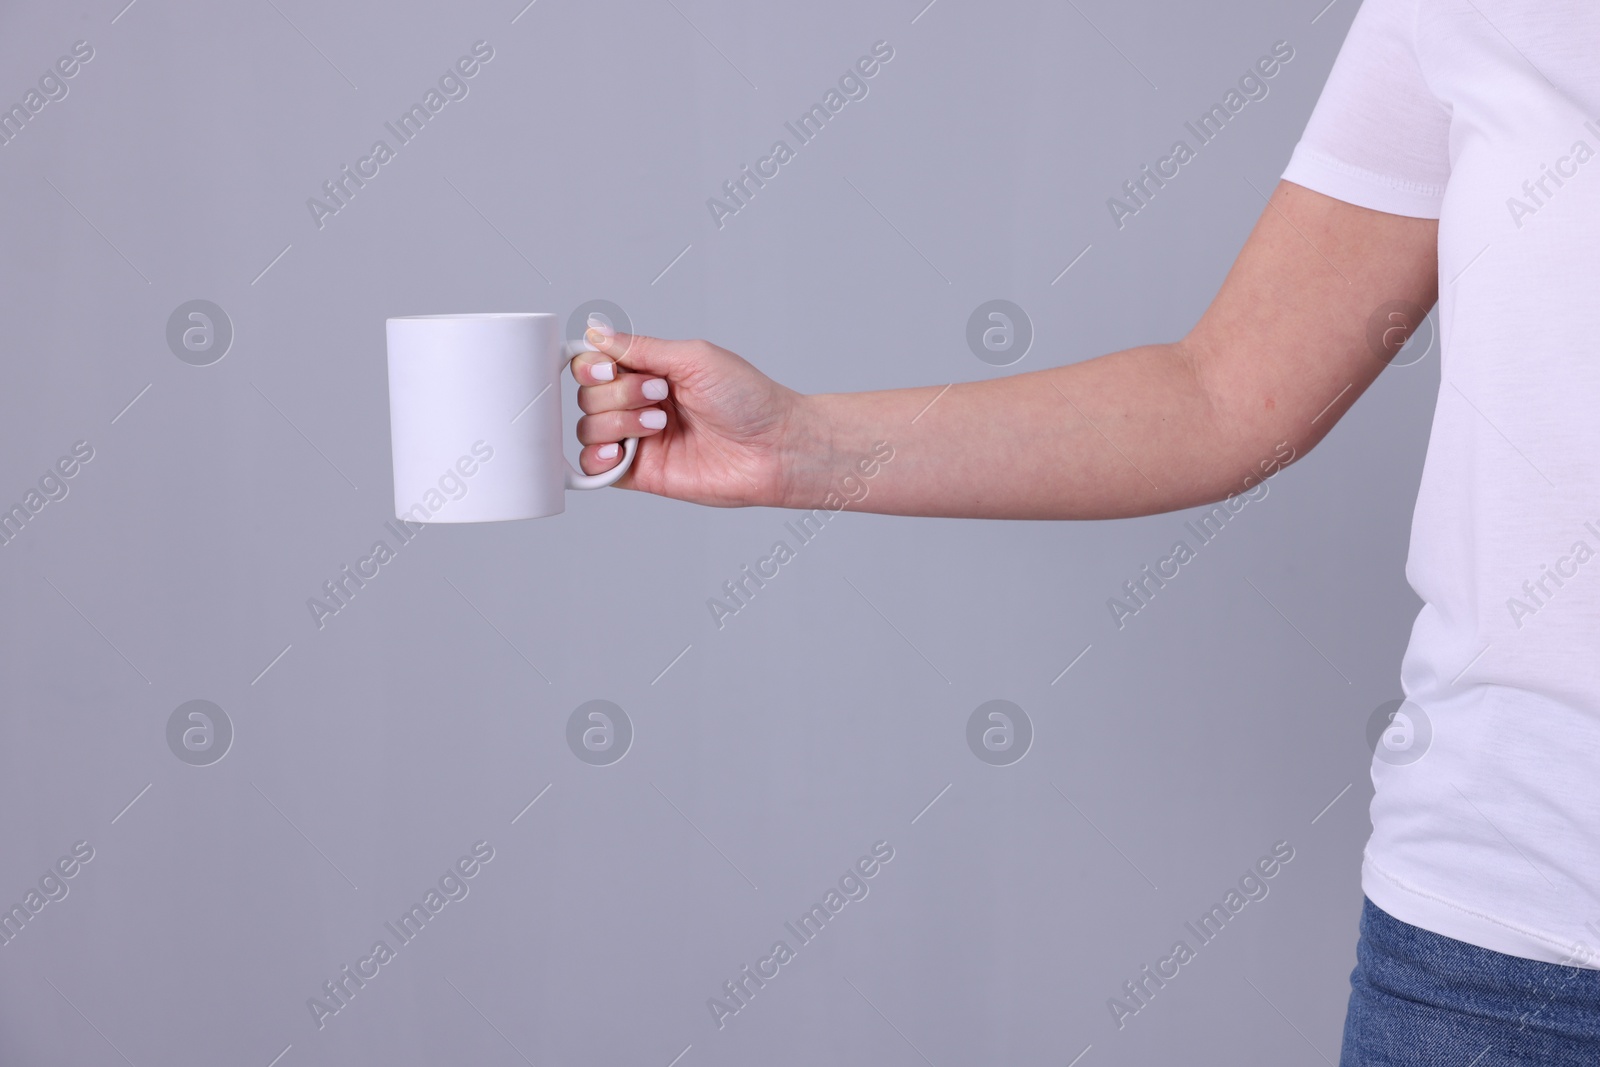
[(713, 430)]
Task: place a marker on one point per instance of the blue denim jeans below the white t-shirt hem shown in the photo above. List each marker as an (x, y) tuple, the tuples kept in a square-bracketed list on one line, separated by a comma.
[(1418, 997)]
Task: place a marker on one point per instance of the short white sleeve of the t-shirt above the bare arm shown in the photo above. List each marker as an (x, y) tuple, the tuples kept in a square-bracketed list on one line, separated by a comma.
[(1378, 137)]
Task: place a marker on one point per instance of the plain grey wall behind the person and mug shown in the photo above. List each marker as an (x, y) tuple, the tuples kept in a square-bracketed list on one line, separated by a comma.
[(772, 754)]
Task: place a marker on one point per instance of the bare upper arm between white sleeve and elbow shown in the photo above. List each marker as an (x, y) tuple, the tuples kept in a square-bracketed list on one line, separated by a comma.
[(1319, 300)]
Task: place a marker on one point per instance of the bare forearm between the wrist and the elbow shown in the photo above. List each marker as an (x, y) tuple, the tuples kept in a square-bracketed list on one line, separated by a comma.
[(1127, 434)]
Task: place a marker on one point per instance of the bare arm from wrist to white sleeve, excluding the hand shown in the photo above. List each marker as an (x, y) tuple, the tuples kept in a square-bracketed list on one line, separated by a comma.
[(1319, 300)]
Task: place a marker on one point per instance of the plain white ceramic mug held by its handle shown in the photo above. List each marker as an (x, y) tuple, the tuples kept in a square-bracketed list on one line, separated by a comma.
[(476, 418)]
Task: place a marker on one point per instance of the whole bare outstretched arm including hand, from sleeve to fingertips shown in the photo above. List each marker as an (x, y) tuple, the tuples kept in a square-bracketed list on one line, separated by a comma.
[(1279, 358)]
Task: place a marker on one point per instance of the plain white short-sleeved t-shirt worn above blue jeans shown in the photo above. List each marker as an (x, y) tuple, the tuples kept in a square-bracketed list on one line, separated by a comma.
[(1486, 114)]
